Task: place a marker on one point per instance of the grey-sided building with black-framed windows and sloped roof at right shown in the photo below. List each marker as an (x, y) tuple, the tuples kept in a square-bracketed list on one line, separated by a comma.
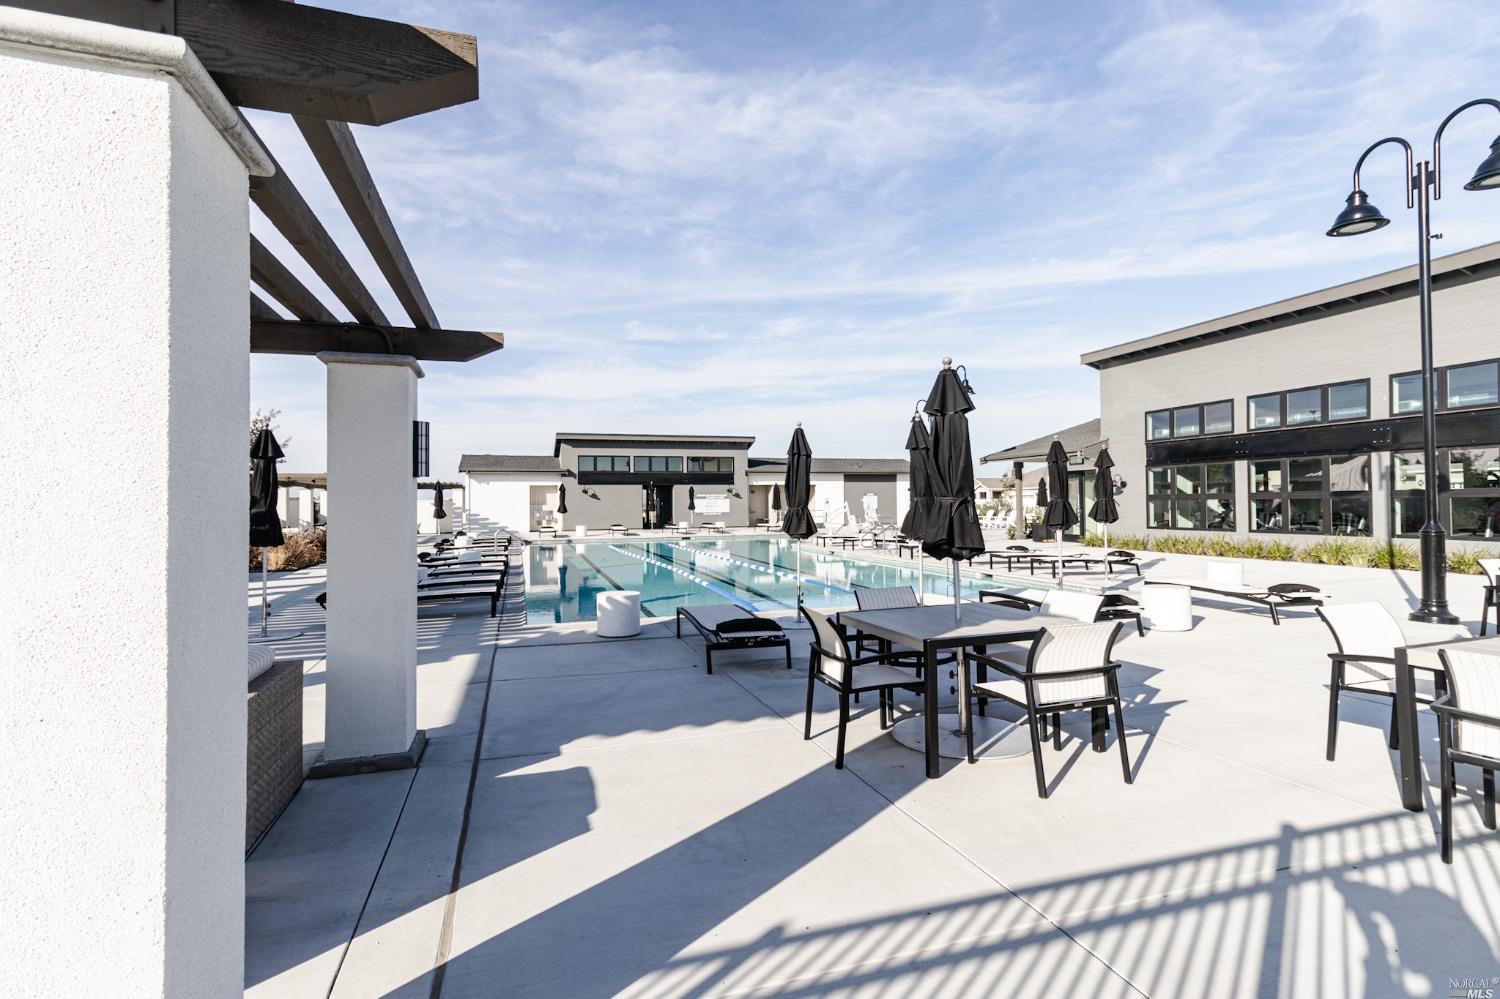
[(1303, 419)]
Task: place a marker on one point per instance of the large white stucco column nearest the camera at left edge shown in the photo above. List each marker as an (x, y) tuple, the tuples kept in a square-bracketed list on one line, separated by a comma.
[(125, 389)]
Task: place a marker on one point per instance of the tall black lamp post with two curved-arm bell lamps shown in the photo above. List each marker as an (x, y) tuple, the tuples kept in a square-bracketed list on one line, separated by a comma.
[(1424, 187)]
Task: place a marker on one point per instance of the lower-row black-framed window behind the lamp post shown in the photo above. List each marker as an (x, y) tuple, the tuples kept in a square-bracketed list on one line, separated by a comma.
[(1469, 491)]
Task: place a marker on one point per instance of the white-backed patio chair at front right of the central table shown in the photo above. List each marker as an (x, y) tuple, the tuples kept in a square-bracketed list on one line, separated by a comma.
[(1067, 670)]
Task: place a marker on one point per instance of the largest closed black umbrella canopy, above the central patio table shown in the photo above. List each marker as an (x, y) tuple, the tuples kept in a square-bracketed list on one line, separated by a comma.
[(952, 527)]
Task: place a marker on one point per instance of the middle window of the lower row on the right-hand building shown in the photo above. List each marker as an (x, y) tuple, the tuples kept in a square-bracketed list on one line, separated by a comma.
[(1312, 496)]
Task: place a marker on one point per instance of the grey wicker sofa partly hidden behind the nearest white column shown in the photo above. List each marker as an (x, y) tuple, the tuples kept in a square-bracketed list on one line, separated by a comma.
[(274, 739)]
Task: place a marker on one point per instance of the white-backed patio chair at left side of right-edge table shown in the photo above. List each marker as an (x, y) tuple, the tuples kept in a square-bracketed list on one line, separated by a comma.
[(1367, 638)]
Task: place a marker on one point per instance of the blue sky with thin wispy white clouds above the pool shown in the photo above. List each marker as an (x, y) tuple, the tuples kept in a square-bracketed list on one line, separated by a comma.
[(731, 218)]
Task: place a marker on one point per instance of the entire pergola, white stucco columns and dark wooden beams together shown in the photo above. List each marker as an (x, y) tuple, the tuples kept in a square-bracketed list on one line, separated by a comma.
[(128, 164)]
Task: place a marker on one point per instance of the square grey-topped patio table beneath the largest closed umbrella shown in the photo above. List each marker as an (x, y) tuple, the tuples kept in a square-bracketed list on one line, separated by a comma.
[(934, 631)]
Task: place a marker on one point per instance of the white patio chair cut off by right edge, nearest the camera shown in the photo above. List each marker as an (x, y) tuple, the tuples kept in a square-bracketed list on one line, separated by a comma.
[(1468, 731)]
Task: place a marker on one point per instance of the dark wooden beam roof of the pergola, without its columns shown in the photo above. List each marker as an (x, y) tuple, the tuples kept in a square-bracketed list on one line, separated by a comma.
[(326, 70)]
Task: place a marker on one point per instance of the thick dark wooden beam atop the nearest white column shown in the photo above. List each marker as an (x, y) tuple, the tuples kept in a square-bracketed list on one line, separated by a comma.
[(305, 61)]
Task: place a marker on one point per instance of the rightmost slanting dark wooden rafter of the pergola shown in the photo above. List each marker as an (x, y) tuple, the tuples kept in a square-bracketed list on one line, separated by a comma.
[(334, 146)]
